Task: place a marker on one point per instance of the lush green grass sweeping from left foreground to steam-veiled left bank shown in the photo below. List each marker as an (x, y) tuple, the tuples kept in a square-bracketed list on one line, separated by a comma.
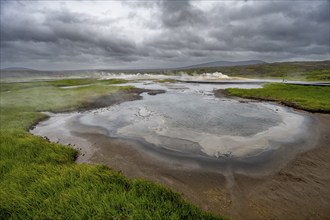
[(40, 180)]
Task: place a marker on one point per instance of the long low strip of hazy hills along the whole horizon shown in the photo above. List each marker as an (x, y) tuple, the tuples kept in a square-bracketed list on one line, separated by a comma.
[(304, 71)]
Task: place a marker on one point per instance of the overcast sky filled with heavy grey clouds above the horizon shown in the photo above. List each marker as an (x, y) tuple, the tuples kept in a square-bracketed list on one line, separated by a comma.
[(144, 34)]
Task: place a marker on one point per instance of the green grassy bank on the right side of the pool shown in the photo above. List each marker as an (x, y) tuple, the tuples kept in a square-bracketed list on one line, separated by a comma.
[(310, 98)]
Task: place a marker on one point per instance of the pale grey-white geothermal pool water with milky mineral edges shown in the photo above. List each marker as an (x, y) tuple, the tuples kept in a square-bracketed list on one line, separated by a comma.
[(189, 122)]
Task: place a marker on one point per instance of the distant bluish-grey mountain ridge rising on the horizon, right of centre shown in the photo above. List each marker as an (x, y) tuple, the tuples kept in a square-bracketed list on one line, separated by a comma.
[(225, 63)]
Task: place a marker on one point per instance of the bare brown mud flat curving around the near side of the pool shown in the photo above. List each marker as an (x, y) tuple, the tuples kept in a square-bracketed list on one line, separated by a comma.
[(300, 190)]
